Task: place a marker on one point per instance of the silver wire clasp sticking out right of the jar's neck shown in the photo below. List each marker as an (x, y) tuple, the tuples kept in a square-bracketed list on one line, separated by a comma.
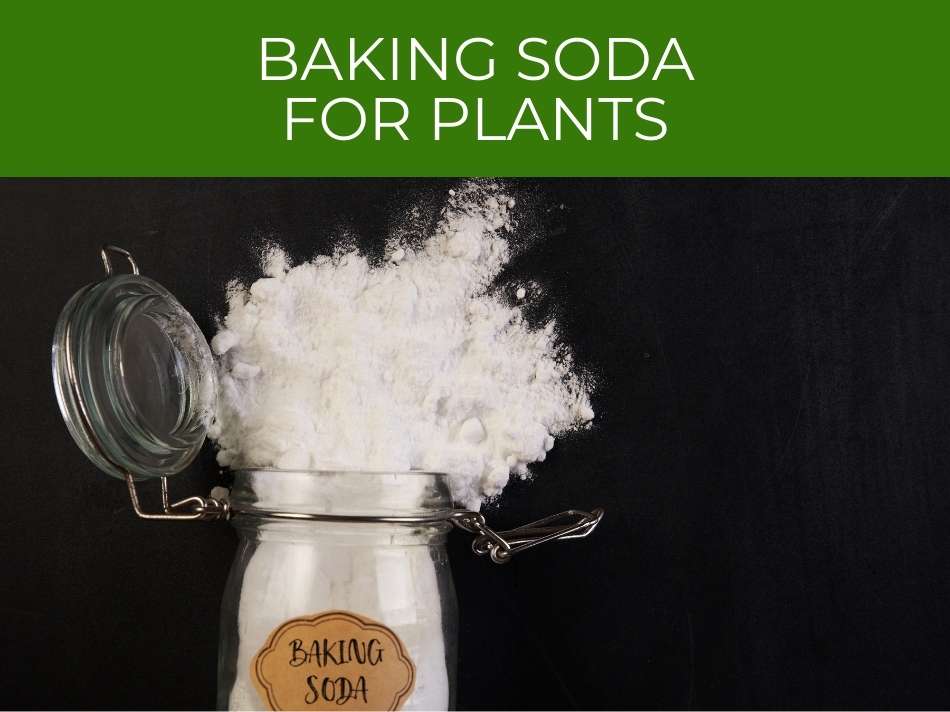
[(502, 545)]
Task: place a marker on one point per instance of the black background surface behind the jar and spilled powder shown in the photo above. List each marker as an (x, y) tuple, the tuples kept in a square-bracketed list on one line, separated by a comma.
[(772, 447)]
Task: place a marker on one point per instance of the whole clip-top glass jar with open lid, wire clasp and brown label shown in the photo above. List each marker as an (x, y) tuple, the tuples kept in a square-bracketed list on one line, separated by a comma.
[(340, 593)]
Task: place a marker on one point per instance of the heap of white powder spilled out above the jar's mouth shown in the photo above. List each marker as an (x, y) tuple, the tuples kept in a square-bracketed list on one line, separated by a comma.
[(338, 363)]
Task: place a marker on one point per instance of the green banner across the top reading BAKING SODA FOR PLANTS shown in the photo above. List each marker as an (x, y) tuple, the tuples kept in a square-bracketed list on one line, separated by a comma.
[(475, 88)]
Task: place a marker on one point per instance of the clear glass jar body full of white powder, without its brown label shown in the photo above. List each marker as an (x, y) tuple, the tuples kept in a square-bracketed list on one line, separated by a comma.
[(393, 573)]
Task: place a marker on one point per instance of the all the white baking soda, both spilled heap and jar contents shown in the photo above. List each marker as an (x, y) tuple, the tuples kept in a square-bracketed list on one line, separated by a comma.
[(411, 363)]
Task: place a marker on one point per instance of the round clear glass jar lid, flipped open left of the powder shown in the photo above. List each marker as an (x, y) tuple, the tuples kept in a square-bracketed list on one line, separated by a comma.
[(134, 376)]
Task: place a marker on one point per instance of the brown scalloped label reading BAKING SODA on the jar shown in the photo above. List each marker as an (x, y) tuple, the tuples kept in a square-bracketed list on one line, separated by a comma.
[(332, 661)]
